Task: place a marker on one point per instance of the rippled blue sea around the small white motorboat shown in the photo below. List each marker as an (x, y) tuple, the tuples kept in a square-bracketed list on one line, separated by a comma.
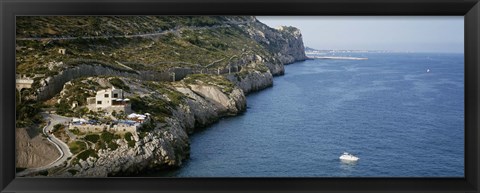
[(399, 119)]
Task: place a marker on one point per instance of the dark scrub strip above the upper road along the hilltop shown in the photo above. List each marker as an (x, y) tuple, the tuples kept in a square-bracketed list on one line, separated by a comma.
[(74, 26)]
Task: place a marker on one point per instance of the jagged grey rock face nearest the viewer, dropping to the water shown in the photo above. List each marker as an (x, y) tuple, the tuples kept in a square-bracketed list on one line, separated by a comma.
[(163, 148)]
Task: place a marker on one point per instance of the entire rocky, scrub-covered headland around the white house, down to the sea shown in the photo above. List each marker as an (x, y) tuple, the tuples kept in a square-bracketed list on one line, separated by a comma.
[(187, 72)]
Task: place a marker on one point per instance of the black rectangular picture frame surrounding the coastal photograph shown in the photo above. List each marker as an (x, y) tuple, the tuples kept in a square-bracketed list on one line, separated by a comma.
[(470, 9)]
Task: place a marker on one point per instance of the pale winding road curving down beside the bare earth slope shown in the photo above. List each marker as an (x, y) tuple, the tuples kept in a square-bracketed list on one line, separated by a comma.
[(61, 146)]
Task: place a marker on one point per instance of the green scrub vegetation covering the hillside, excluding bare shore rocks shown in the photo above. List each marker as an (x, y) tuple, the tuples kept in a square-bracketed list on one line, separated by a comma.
[(174, 47)]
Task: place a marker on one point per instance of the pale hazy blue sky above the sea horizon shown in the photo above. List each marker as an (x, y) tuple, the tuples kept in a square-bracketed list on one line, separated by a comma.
[(394, 33)]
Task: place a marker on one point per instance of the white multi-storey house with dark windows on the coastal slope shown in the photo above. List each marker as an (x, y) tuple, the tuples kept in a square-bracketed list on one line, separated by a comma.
[(109, 100)]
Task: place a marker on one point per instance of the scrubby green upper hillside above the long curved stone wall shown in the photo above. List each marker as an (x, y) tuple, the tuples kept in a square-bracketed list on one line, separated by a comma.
[(180, 41)]
